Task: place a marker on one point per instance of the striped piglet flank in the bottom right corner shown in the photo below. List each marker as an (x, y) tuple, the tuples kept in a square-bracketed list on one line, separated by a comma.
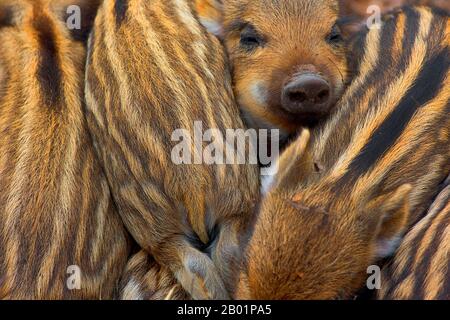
[(421, 267)]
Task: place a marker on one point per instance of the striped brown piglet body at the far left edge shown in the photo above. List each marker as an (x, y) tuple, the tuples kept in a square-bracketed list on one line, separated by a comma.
[(56, 209)]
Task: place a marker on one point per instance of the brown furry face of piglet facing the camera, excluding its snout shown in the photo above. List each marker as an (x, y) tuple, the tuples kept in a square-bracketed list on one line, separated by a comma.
[(294, 41)]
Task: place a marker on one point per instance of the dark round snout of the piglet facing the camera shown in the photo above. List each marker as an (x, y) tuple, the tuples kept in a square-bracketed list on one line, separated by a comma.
[(307, 93)]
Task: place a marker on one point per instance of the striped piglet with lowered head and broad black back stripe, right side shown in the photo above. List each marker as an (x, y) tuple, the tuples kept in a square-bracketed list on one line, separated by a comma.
[(344, 198)]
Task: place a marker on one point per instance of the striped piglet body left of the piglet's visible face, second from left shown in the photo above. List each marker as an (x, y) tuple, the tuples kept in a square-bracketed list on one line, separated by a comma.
[(152, 69)]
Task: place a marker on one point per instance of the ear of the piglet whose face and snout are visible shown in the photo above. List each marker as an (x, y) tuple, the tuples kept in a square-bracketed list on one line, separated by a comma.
[(210, 13)]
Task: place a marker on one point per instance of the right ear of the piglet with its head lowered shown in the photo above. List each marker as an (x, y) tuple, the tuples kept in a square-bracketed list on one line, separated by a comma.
[(389, 218)]
